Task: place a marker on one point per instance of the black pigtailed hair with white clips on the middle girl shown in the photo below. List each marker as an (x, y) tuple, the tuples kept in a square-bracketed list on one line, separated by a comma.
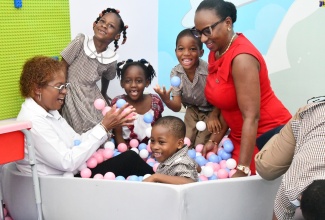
[(148, 70)]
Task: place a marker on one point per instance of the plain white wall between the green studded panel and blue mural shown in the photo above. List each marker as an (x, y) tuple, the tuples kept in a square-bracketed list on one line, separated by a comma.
[(140, 16)]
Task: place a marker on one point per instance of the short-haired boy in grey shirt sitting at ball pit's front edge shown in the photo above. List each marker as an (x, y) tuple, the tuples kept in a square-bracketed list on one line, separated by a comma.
[(167, 145)]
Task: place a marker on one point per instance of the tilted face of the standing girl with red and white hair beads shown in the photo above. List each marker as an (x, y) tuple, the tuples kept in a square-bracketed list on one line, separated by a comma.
[(108, 28)]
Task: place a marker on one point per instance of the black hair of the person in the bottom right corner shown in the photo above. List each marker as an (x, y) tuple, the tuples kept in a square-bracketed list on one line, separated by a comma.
[(313, 201)]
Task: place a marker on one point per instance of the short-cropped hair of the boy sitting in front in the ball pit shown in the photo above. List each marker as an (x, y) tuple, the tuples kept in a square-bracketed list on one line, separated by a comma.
[(175, 125)]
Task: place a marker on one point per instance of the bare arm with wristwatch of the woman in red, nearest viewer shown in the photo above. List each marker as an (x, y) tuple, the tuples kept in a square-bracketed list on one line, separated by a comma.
[(245, 72)]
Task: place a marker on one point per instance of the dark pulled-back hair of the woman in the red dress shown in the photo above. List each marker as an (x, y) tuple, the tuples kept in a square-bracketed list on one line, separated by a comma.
[(222, 8)]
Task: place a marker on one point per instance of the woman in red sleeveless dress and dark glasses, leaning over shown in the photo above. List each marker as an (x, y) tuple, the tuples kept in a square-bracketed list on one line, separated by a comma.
[(237, 84)]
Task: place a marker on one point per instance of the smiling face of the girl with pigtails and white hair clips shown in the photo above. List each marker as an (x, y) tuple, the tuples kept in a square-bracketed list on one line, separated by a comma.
[(134, 82)]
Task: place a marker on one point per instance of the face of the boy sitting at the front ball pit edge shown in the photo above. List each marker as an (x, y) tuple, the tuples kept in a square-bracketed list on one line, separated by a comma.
[(163, 143)]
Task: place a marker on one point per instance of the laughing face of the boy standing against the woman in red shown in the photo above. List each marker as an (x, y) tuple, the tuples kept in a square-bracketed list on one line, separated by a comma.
[(188, 52)]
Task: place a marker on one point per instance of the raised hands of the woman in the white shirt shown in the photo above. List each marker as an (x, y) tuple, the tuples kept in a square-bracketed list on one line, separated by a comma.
[(119, 117)]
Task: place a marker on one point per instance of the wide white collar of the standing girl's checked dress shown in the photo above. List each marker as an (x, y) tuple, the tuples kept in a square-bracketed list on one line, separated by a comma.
[(105, 57)]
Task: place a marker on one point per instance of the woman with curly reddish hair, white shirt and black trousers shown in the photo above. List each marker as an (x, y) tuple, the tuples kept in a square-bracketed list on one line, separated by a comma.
[(58, 148)]
